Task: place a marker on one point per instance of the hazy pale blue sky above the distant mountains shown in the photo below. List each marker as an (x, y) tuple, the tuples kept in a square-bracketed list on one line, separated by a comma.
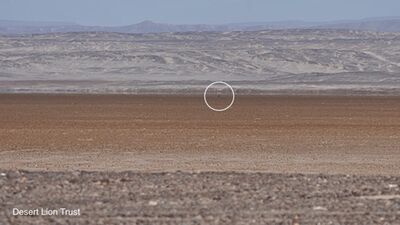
[(124, 12)]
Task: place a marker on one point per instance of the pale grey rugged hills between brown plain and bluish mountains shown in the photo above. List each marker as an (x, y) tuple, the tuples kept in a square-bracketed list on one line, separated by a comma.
[(294, 60)]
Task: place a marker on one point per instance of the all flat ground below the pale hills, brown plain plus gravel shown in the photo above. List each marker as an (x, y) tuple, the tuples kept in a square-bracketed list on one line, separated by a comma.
[(124, 159)]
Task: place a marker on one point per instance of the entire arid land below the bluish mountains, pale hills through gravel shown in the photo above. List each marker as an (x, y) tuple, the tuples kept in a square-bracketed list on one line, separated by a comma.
[(312, 138)]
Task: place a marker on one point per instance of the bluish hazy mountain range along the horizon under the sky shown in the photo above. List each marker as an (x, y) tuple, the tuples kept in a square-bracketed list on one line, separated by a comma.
[(389, 24)]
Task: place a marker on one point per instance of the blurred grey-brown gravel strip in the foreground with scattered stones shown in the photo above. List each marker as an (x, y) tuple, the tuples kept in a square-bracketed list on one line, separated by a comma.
[(200, 198)]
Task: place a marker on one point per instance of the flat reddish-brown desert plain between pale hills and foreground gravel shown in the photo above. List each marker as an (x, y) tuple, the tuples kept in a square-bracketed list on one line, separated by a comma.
[(278, 134)]
